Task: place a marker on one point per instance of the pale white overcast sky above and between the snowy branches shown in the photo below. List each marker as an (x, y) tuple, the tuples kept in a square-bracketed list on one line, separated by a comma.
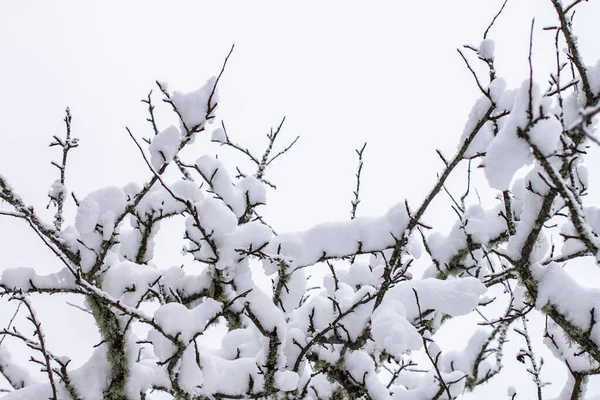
[(343, 73)]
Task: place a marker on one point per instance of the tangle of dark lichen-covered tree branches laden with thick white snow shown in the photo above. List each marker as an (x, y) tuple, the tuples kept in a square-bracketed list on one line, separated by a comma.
[(355, 308)]
